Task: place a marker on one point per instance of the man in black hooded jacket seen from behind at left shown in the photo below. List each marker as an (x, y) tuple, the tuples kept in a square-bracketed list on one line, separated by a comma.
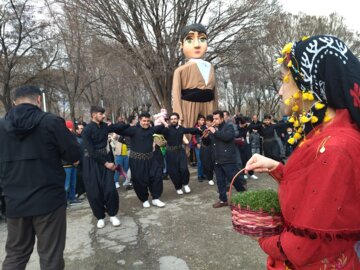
[(32, 144)]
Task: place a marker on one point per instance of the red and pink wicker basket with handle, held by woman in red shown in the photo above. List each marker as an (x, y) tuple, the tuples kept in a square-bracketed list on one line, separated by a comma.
[(254, 223)]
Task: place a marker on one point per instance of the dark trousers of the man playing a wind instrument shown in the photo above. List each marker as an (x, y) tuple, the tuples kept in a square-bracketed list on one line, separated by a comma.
[(224, 174)]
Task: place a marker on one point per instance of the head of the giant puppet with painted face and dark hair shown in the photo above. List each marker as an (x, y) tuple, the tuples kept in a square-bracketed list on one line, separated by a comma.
[(193, 41)]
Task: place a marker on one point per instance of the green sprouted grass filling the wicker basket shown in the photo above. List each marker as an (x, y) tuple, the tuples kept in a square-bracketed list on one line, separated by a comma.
[(267, 200)]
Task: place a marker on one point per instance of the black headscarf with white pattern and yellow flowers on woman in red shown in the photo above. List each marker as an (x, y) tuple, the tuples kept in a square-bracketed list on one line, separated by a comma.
[(323, 67)]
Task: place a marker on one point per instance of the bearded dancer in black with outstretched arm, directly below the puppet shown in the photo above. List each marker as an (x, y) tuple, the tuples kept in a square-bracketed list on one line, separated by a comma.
[(175, 153)]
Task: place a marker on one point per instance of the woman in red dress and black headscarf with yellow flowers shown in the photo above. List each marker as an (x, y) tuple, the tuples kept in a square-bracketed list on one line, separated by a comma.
[(319, 187)]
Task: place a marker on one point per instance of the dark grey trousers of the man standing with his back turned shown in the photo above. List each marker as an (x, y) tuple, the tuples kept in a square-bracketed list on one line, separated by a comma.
[(50, 231)]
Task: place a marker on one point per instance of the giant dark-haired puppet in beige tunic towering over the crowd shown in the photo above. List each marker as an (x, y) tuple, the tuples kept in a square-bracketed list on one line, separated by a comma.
[(194, 85)]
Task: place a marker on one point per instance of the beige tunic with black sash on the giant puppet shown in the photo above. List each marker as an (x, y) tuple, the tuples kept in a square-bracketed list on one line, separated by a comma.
[(191, 94)]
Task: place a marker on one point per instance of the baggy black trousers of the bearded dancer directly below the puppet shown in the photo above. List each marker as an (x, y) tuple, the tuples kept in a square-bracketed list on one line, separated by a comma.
[(177, 168)]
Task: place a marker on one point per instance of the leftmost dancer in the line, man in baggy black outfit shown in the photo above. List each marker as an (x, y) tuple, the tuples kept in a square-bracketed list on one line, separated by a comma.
[(99, 167)]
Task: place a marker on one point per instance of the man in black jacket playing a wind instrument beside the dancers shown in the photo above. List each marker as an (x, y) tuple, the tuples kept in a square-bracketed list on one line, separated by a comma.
[(221, 137)]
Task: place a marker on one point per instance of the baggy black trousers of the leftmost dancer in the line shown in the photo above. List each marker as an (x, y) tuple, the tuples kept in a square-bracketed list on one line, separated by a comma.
[(100, 188)]
